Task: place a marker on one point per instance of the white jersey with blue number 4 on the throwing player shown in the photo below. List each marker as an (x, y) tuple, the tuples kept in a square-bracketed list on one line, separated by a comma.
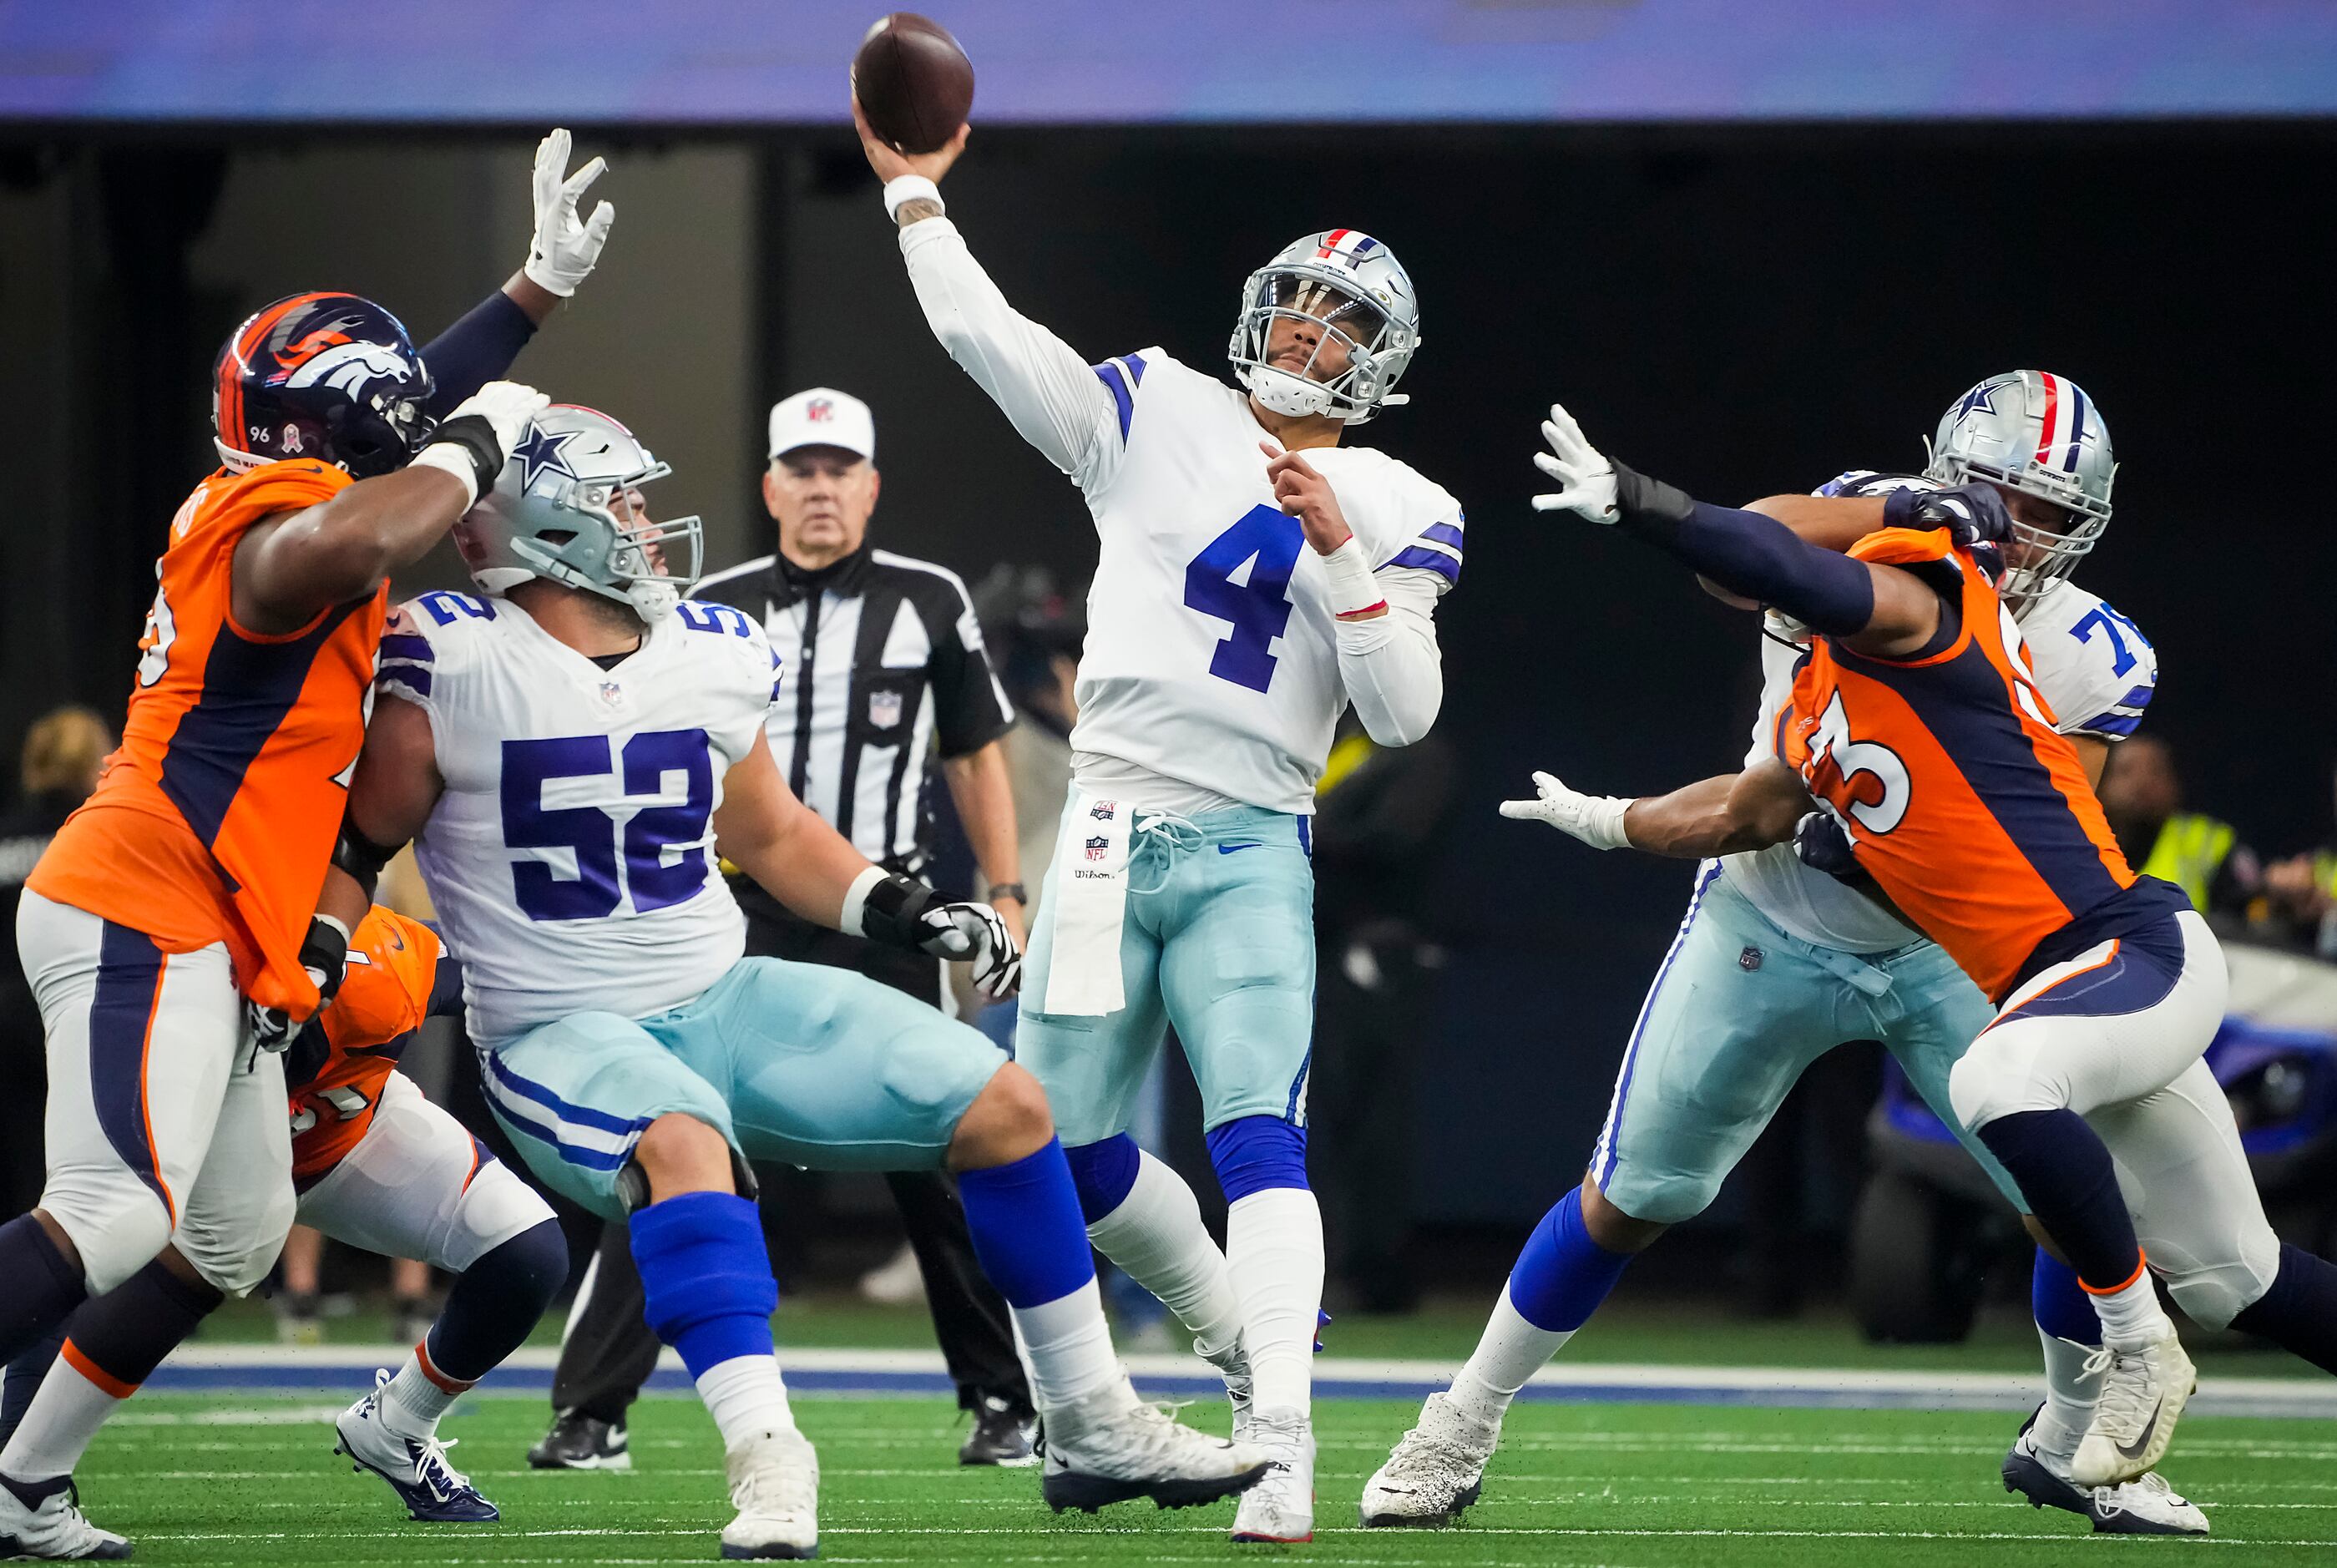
[(1212, 651)]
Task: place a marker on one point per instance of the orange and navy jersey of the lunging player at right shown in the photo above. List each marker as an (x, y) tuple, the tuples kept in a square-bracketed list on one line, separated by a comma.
[(1957, 789)]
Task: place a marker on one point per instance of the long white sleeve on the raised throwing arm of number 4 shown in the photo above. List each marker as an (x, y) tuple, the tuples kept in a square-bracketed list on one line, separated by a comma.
[(1048, 391)]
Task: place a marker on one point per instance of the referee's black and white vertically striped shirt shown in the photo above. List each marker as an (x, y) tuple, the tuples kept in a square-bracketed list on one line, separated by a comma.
[(880, 655)]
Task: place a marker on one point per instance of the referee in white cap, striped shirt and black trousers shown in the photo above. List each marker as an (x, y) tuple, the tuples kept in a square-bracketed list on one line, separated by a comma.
[(882, 662)]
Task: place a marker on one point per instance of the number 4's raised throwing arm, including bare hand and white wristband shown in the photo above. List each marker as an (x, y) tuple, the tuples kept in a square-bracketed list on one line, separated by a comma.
[(1048, 391)]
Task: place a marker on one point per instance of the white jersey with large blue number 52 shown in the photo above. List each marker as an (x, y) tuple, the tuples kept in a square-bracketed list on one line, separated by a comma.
[(571, 856)]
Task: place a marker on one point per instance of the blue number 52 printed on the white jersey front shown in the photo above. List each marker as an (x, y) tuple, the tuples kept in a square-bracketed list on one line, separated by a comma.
[(592, 835)]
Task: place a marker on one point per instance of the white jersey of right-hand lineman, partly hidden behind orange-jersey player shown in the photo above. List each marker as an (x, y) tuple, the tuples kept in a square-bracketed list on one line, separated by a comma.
[(2097, 674)]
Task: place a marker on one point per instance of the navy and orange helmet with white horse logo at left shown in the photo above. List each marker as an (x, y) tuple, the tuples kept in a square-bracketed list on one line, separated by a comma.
[(319, 377)]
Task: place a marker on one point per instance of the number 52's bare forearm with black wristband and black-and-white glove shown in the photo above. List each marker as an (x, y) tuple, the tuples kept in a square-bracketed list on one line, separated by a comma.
[(817, 873)]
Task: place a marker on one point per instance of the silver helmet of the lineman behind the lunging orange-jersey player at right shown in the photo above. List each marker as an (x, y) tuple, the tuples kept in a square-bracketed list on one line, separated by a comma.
[(2037, 433)]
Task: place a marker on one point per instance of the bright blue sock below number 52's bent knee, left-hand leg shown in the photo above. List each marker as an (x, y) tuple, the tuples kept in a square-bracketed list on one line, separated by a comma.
[(705, 1277)]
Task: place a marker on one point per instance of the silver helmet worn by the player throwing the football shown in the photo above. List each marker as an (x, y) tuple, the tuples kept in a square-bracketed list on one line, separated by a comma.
[(1347, 289)]
